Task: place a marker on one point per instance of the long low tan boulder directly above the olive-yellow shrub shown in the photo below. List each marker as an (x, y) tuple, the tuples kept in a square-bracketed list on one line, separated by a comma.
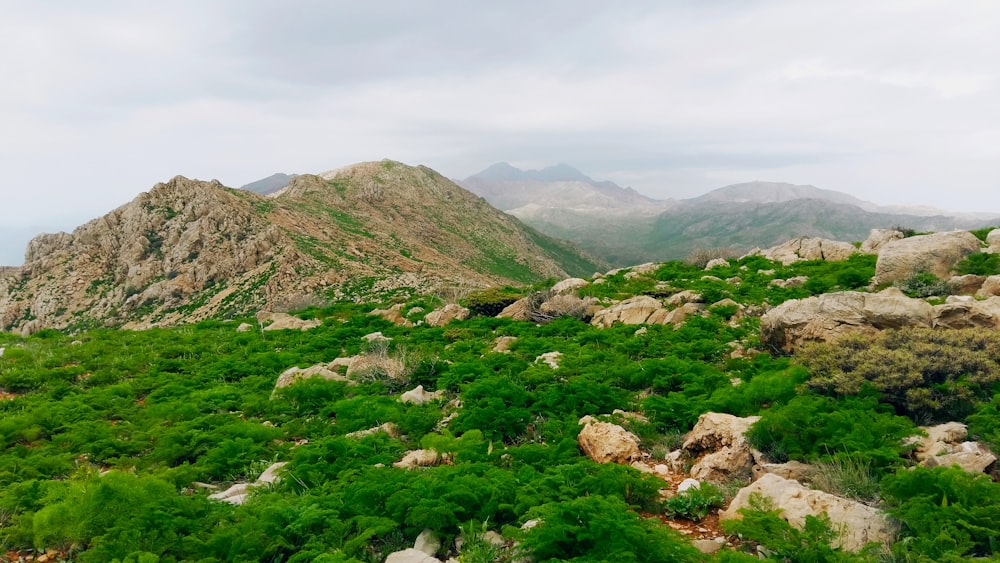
[(827, 316)]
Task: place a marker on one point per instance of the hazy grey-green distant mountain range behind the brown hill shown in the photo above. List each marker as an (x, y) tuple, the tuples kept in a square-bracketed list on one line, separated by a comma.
[(624, 227)]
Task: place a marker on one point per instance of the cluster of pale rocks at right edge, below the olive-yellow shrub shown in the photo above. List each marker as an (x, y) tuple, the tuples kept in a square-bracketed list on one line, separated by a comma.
[(946, 445)]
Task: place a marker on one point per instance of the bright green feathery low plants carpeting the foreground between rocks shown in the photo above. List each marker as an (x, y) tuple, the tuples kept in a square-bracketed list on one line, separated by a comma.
[(110, 441)]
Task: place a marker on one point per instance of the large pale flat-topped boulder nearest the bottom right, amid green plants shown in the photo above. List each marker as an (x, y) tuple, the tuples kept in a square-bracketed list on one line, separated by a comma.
[(861, 524)]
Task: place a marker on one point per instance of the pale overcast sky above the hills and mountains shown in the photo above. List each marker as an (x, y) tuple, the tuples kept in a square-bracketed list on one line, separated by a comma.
[(893, 101)]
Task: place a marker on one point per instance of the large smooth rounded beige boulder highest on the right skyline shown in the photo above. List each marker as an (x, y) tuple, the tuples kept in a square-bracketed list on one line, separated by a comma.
[(935, 253)]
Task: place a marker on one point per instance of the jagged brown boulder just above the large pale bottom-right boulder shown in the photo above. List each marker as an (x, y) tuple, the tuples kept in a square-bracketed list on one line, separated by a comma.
[(717, 442)]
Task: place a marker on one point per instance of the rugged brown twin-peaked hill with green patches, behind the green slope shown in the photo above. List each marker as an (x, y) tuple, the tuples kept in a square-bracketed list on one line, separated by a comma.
[(188, 250)]
